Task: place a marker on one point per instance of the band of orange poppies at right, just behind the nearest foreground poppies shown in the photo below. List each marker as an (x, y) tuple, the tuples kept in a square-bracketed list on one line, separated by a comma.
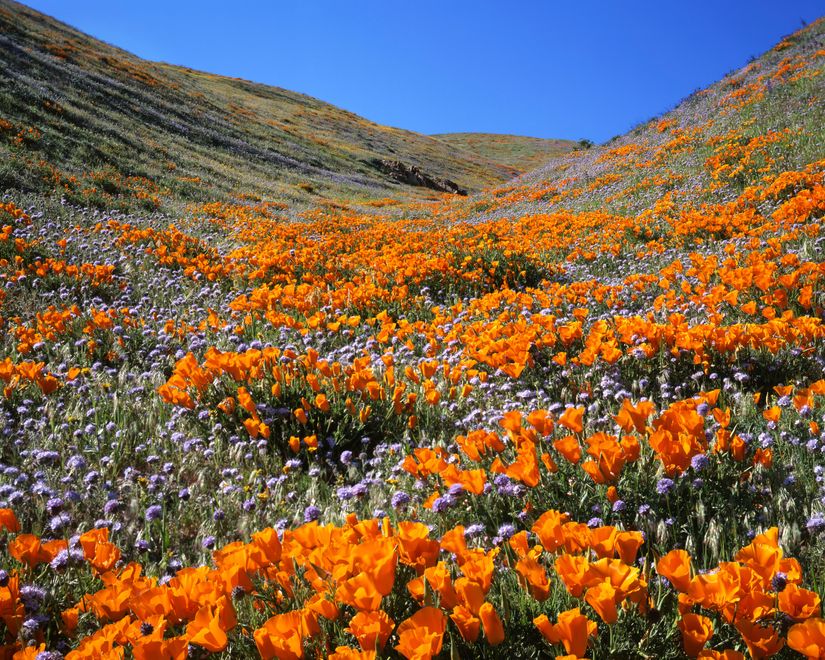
[(675, 436)]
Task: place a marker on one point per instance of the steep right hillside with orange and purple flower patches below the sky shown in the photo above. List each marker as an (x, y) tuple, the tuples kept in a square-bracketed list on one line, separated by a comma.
[(765, 117)]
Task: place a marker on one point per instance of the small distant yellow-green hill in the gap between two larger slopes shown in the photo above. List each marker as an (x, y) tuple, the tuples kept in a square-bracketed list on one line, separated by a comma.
[(516, 151)]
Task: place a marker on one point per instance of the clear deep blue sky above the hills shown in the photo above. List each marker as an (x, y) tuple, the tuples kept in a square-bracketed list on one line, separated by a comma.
[(551, 68)]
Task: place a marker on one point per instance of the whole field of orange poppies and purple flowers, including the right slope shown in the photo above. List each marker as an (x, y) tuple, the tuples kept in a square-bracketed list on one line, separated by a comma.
[(581, 415)]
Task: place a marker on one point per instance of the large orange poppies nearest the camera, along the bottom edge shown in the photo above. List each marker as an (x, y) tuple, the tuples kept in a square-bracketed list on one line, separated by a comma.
[(344, 574)]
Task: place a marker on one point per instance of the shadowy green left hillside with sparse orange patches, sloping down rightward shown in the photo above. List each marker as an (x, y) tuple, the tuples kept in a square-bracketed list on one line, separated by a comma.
[(72, 106)]
